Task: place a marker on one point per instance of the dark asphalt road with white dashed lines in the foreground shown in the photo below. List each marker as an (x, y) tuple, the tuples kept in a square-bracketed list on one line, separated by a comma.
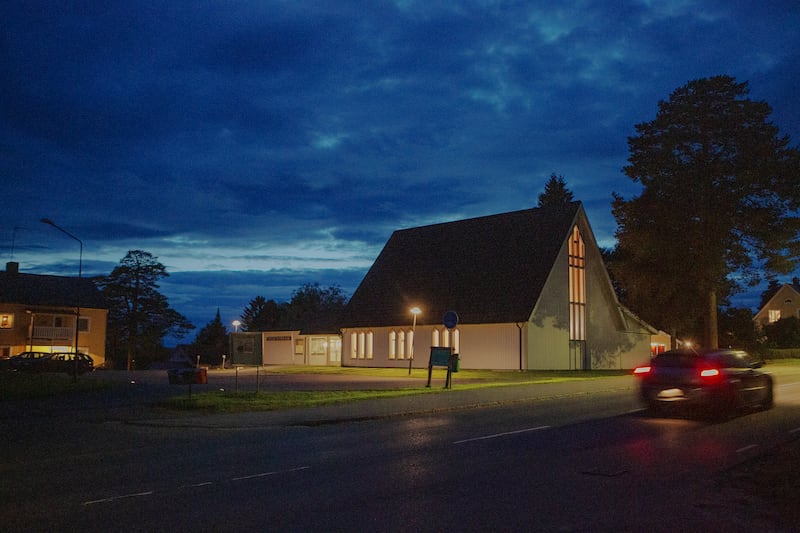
[(570, 458)]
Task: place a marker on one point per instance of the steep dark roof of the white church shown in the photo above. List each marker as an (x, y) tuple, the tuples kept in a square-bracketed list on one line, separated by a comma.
[(488, 269)]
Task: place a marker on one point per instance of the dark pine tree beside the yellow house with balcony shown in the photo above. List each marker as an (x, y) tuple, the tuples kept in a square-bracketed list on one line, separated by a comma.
[(139, 316)]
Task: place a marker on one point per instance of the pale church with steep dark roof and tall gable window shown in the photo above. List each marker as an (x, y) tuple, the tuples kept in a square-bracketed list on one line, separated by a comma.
[(529, 287)]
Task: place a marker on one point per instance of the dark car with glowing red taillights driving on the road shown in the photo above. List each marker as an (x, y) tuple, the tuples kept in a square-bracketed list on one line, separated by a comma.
[(715, 382)]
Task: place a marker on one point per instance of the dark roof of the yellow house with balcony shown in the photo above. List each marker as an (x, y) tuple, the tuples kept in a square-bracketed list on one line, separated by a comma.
[(54, 291)]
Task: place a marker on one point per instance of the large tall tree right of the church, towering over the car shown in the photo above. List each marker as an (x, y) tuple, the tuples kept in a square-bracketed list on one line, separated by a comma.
[(718, 206)]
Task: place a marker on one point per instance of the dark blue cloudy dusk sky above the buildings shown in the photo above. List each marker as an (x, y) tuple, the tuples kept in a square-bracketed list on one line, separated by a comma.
[(255, 146)]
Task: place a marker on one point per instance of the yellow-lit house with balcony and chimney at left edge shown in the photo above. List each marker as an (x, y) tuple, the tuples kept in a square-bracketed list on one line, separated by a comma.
[(46, 313)]
